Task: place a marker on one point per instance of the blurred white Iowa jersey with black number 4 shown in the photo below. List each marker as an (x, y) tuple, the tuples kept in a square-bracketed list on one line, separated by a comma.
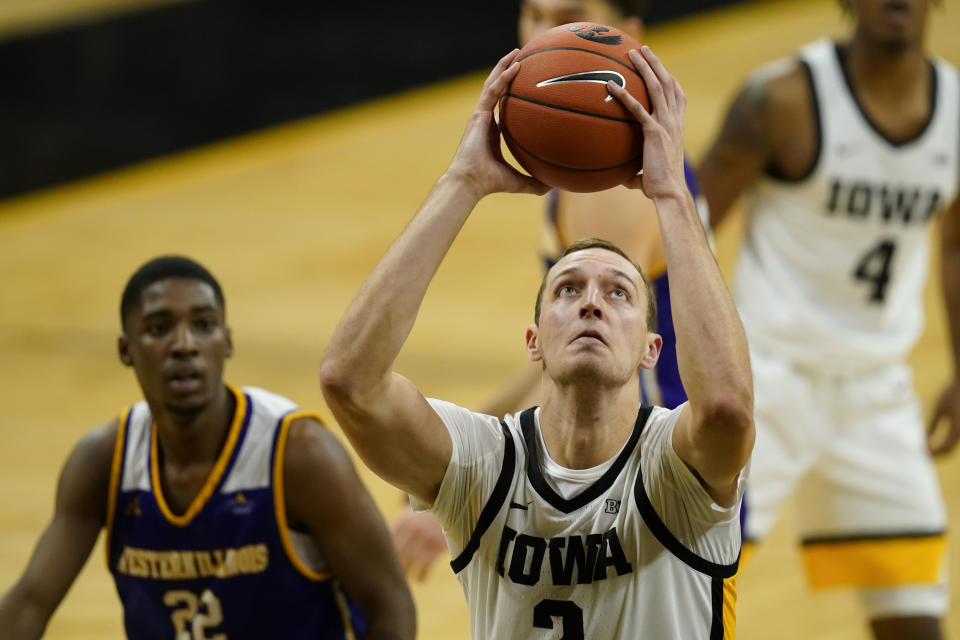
[(833, 267)]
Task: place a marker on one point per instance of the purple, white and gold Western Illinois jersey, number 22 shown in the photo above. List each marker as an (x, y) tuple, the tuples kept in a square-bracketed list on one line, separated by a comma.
[(230, 566)]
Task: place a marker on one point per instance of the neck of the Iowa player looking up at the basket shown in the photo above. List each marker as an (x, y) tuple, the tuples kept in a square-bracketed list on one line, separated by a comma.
[(582, 432)]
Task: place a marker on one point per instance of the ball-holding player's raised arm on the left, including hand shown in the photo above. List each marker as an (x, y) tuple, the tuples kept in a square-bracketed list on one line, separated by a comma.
[(387, 420)]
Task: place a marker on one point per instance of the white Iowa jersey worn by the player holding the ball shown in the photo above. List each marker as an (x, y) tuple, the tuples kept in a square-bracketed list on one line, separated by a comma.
[(640, 552)]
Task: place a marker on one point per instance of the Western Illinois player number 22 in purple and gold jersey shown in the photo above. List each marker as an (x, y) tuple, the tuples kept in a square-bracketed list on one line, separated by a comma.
[(228, 512)]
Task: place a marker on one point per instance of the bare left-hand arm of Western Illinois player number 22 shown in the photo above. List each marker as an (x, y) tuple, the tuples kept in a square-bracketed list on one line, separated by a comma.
[(66, 543)]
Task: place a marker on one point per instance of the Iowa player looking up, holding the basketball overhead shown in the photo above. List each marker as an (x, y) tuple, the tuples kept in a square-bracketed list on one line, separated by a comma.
[(590, 516)]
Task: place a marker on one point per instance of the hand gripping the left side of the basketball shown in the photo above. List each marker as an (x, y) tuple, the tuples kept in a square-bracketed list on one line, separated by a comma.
[(479, 160)]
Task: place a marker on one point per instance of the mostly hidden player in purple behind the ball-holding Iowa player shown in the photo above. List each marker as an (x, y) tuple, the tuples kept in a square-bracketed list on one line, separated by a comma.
[(621, 215)]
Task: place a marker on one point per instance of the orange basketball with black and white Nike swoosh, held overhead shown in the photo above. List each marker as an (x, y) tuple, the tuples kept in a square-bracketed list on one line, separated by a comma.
[(557, 117)]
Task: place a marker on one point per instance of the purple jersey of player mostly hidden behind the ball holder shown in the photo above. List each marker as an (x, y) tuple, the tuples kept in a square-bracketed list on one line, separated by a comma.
[(662, 385)]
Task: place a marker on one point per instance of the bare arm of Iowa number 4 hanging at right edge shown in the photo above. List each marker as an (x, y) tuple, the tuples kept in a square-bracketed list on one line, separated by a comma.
[(944, 430)]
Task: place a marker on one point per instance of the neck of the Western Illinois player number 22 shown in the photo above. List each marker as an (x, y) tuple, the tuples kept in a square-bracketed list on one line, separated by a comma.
[(196, 438)]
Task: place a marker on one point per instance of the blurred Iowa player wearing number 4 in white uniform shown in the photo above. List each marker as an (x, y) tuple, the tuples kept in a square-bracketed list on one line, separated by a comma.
[(846, 154)]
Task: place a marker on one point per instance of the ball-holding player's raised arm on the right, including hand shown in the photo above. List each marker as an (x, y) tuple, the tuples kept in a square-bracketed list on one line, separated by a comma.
[(714, 433)]
